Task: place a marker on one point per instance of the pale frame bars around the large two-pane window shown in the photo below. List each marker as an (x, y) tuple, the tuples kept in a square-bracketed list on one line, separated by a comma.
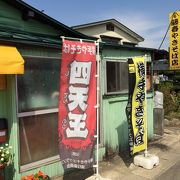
[(46, 161)]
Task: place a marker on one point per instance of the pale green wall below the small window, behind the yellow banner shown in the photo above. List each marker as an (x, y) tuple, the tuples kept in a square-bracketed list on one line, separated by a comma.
[(115, 122)]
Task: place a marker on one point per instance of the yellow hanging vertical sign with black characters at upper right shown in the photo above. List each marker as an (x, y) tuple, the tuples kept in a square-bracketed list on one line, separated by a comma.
[(174, 55)]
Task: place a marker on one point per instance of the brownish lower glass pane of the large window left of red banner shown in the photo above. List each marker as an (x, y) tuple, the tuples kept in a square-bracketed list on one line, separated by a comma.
[(38, 137)]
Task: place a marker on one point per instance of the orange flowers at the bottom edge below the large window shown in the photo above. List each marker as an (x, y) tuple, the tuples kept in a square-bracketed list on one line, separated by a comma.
[(37, 176)]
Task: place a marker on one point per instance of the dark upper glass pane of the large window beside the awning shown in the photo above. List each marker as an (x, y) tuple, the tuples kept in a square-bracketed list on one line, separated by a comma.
[(38, 87)]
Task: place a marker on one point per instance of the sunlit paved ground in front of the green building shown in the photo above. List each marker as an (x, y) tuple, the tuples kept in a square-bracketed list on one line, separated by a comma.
[(167, 148)]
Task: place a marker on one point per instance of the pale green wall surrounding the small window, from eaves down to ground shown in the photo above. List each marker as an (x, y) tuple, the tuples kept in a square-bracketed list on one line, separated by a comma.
[(115, 127)]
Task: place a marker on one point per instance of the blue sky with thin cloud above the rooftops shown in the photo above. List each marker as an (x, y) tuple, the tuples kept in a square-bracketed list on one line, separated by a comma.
[(149, 19)]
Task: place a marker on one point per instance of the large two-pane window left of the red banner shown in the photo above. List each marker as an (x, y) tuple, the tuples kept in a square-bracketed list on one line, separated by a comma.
[(37, 110)]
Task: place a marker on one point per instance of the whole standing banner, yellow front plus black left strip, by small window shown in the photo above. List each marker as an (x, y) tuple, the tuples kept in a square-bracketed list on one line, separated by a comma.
[(136, 107)]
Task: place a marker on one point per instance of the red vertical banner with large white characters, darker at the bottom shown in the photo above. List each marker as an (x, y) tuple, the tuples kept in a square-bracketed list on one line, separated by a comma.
[(77, 115)]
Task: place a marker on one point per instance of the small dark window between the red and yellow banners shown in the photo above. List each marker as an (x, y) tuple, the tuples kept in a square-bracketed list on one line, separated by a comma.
[(116, 76)]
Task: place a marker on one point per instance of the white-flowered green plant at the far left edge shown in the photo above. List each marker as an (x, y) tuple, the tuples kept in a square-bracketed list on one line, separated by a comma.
[(5, 155)]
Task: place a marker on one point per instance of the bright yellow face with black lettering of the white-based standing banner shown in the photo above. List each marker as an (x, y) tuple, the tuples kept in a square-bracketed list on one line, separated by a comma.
[(139, 106)]
